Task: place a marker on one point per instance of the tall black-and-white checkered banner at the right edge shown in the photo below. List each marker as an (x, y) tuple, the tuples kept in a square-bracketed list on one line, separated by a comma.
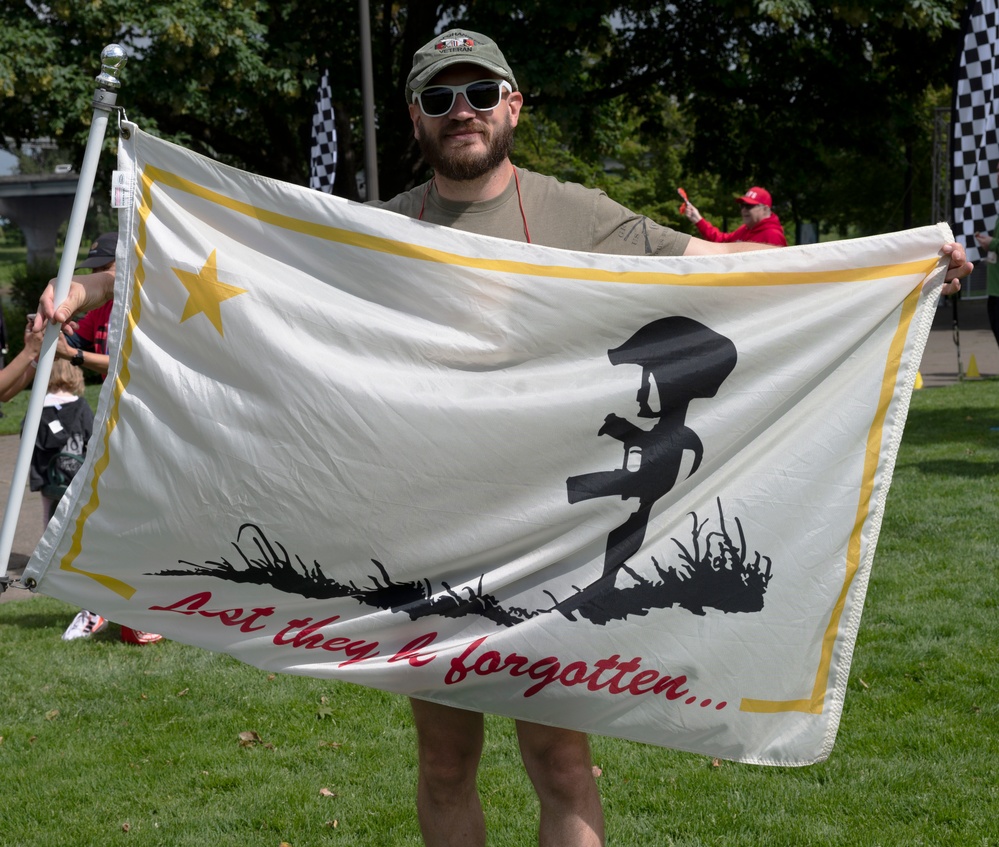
[(975, 142)]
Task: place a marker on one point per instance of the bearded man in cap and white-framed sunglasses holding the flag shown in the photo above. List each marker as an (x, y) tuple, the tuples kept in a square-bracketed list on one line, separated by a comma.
[(465, 105)]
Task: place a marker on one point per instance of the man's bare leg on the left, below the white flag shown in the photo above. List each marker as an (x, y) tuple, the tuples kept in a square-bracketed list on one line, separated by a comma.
[(447, 802)]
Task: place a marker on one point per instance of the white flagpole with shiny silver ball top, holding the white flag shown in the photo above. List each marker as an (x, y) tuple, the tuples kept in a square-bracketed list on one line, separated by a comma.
[(112, 61)]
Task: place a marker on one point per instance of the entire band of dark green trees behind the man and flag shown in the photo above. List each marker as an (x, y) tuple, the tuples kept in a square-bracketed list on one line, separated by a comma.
[(827, 104)]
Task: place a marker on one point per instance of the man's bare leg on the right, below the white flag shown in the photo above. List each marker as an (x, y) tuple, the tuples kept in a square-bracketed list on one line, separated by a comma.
[(559, 764)]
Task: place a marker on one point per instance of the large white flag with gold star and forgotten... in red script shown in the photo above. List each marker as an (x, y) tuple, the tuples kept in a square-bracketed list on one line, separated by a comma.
[(633, 496)]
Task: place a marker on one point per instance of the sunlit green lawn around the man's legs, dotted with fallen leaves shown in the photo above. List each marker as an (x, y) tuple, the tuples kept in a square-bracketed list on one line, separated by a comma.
[(105, 743)]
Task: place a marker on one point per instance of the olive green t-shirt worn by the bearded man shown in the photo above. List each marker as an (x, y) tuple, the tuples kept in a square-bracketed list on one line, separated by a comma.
[(555, 214)]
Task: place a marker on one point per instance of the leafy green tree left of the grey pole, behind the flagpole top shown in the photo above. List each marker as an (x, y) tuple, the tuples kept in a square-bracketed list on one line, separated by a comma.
[(234, 80)]
